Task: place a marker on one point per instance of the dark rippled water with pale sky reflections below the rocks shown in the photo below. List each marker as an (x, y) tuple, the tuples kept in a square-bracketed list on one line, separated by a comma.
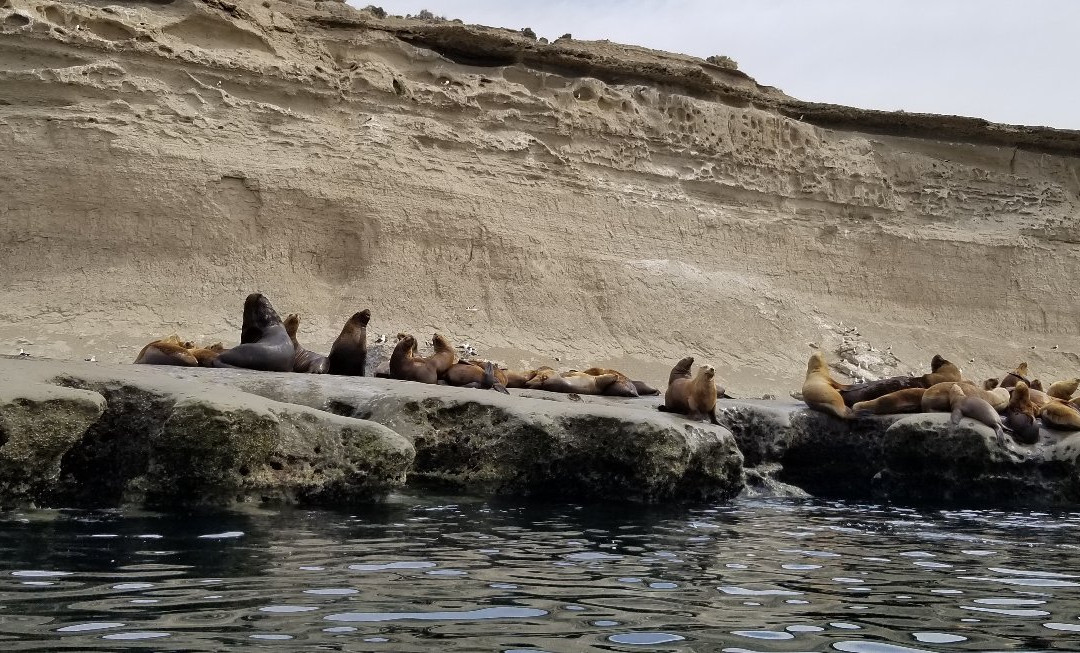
[(468, 575)]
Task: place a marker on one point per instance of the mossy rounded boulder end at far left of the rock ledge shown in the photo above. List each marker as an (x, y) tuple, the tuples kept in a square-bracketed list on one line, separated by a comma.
[(38, 426)]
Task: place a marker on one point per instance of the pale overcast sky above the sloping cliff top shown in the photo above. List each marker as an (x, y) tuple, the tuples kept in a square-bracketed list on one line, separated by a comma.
[(1012, 62)]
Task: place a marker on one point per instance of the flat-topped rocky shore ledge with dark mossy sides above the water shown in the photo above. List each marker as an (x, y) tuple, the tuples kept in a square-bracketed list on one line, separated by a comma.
[(83, 434)]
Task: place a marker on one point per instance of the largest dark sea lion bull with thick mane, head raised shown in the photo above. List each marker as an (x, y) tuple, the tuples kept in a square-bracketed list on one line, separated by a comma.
[(273, 351)]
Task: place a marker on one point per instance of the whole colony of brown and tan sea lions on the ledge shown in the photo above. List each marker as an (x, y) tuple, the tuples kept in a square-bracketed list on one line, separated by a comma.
[(1015, 403)]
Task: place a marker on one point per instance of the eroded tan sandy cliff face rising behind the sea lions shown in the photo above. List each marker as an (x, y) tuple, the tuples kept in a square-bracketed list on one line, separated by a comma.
[(588, 201)]
